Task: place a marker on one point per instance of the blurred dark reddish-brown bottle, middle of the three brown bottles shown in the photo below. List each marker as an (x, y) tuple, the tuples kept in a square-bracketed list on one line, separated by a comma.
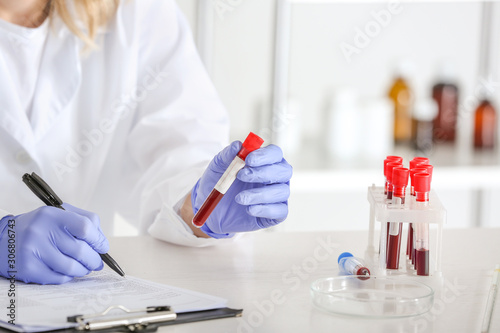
[(446, 96)]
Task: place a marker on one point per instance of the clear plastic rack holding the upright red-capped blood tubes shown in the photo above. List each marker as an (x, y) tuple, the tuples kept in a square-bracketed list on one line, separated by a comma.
[(383, 210)]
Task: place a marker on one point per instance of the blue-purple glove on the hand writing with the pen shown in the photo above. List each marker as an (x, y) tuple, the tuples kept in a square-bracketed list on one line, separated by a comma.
[(52, 245)]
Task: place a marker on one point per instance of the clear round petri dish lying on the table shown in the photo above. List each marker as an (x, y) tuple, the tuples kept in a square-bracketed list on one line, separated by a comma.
[(374, 297)]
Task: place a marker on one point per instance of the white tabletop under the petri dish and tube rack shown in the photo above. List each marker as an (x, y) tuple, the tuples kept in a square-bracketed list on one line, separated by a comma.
[(268, 274)]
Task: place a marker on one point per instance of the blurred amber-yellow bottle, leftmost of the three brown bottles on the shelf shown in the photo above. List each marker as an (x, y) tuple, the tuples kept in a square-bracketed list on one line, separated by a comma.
[(401, 95)]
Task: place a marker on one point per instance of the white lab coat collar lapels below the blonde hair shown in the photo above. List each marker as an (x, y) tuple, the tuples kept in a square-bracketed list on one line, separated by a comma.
[(58, 81)]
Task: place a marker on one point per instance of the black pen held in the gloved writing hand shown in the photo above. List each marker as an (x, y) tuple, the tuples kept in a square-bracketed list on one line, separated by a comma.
[(42, 190)]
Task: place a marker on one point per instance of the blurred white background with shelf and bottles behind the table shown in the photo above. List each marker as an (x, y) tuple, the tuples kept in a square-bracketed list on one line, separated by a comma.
[(341, 84)]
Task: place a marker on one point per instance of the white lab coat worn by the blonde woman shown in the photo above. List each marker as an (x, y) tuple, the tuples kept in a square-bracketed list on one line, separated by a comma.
[(126, 129)]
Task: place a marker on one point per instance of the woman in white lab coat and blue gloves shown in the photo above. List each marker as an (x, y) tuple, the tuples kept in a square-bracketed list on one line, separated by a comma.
[(108, 101)]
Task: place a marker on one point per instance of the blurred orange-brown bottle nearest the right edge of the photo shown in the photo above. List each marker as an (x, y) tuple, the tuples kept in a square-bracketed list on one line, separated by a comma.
[(485, 126)]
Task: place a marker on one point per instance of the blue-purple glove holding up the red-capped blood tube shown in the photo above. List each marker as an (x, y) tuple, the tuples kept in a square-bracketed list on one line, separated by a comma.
[(257, 199)]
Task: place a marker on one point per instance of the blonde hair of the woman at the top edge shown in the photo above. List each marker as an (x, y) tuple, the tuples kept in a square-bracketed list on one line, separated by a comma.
[(92, 13)]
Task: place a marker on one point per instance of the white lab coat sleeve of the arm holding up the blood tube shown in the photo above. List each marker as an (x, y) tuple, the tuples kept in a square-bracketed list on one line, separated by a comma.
[(181, 123)]
